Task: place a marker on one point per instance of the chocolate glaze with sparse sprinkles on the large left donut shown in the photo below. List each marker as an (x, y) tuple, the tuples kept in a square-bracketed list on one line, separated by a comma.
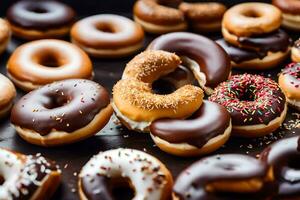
[(64, 106)]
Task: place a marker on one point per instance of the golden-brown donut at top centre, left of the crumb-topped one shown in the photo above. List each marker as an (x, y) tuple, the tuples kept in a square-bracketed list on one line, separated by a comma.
[(155, 16)]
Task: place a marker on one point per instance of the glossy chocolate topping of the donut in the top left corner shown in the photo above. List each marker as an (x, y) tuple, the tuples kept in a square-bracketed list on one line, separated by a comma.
[(40, 14)]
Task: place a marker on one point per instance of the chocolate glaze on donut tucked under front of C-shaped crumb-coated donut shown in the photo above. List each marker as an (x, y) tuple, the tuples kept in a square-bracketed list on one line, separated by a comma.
[(198, 129)]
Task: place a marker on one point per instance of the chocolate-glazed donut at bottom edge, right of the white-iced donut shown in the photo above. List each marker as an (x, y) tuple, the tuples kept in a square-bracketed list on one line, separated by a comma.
[(216, 176)]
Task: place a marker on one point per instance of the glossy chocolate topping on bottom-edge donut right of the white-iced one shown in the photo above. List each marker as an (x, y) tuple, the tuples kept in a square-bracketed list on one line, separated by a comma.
[(191, 183)]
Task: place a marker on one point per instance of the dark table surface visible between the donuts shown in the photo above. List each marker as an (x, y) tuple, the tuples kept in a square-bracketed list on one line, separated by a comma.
[(72, 157)]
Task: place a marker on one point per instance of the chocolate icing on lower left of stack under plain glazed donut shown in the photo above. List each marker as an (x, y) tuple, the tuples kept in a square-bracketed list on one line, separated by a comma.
[(239, 55)]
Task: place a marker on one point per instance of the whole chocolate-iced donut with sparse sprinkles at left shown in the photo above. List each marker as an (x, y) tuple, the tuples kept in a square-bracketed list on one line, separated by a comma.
[(62, 112)]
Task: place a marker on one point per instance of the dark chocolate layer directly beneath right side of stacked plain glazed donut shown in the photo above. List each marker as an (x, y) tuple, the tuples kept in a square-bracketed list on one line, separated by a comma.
[(274, 42)]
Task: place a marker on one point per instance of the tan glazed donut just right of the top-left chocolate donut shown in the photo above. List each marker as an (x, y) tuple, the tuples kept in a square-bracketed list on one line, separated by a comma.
[(107, 35)]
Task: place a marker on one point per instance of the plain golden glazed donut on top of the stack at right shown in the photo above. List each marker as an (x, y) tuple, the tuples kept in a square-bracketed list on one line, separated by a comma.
[(251, 19)]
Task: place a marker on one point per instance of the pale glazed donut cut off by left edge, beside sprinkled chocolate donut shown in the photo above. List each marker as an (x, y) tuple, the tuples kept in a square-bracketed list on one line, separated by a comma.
[(7, 95)]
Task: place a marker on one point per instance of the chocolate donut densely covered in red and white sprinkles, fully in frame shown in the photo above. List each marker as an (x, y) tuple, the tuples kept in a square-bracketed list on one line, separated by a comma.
[(256, 104)]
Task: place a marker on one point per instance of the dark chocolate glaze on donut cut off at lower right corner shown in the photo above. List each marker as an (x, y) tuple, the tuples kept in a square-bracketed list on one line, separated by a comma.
[(284, 157)]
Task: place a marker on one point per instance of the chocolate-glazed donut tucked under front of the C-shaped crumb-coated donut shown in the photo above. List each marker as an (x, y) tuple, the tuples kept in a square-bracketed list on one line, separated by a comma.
[(202, 133)]
